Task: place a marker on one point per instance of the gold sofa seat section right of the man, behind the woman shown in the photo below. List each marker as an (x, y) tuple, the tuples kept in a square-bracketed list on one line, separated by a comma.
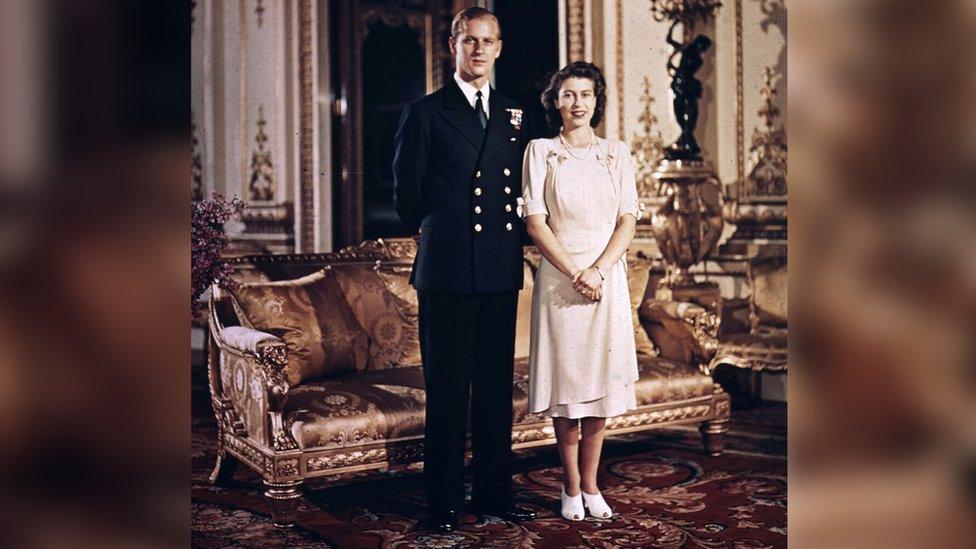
[(661, 380)]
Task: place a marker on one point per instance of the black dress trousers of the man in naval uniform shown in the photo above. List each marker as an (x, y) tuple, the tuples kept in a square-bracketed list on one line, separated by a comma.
[(468, 343)]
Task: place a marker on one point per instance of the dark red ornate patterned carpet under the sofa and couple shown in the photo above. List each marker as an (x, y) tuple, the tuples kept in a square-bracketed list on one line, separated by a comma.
[(664, 490)]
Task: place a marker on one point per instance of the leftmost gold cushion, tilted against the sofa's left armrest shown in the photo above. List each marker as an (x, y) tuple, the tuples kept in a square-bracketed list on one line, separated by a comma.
[(310, 315)]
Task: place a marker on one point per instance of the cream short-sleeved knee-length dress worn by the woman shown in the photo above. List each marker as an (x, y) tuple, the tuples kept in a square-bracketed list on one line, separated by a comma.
[(582, 358)]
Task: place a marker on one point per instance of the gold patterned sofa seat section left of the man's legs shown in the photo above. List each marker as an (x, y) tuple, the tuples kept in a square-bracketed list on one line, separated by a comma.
[(359, 408)]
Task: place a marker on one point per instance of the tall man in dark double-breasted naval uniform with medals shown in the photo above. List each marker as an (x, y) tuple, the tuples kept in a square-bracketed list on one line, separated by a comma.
[(457, 170)]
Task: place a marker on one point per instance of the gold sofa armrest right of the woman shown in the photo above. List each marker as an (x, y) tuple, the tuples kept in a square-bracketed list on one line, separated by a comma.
[(683, 332)]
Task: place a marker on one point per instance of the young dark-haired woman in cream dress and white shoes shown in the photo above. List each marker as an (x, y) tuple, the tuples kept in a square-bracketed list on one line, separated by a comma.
[(580, 209)]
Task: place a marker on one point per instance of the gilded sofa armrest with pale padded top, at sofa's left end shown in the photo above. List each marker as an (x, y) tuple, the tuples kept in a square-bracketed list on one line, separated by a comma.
[(248, 385)]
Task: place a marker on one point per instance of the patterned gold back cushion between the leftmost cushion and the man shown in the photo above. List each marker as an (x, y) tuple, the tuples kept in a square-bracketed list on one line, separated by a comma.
[(393, 339)]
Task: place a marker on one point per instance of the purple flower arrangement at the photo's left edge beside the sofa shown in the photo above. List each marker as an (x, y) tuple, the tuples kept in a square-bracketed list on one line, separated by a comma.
[(208, 241)]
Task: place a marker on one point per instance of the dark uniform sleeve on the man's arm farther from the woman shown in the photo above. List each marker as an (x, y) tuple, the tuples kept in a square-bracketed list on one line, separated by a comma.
[(409, 167)]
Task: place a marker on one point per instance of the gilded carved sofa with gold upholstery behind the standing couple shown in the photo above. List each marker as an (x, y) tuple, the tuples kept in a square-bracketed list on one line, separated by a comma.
[(314, 370)]
